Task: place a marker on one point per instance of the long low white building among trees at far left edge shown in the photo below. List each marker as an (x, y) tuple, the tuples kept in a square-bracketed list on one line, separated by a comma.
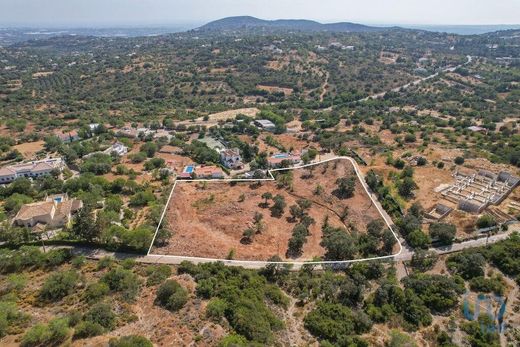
[(33, 169)]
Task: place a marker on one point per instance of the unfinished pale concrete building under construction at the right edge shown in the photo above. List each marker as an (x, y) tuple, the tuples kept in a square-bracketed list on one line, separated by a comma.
[(474, 192)]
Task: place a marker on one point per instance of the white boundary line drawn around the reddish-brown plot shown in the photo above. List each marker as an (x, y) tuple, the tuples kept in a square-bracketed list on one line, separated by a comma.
[(260, 263)]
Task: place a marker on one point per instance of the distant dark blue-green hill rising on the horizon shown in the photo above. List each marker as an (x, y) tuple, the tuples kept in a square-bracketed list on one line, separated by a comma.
[(247, 22)]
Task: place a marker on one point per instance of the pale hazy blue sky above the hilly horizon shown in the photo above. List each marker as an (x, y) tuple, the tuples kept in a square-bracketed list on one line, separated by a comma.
[(92, 13)]
